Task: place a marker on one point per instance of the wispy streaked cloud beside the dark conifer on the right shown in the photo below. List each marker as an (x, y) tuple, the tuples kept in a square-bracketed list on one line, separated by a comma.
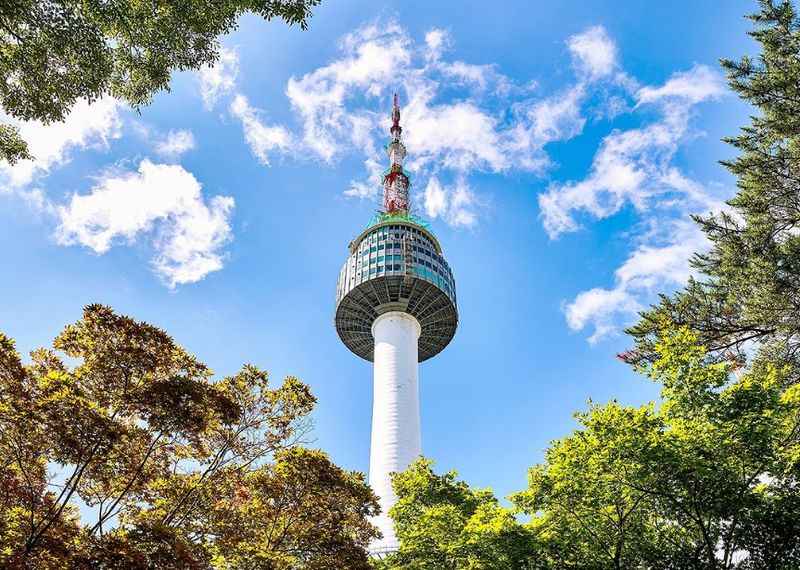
[(637, 167)]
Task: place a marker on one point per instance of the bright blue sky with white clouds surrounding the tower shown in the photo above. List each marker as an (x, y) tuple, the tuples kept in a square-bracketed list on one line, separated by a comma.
[(556, 148)]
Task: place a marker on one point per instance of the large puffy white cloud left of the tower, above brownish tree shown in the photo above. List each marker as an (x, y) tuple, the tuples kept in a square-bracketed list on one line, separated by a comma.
[(161, 201)]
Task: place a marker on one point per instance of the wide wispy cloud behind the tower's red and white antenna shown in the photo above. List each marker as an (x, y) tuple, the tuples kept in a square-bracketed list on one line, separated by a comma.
[(458, 117)]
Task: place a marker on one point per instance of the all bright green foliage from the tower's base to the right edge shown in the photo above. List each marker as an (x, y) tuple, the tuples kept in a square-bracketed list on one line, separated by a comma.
[(707, 479)]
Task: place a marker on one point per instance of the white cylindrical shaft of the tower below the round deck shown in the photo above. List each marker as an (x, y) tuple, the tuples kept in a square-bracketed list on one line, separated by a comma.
[(395, 411)]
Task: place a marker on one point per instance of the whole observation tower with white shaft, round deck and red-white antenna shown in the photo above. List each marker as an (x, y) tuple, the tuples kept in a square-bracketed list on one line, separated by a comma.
[(395, 307)]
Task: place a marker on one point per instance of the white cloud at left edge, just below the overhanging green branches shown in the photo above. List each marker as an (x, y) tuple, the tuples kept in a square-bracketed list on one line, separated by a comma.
[(87, 125)]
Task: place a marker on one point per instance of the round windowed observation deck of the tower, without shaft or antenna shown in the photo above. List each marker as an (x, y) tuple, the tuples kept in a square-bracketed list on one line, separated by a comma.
[(396, 264)]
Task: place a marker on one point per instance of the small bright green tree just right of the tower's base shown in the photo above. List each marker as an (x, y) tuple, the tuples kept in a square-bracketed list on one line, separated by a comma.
[(444, 524)]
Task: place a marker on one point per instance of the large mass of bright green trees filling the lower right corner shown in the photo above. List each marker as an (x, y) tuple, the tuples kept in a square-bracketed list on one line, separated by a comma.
[(709, 479)]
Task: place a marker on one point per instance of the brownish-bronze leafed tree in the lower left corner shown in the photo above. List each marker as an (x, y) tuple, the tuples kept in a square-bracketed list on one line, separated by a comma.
[(139, 433)]
